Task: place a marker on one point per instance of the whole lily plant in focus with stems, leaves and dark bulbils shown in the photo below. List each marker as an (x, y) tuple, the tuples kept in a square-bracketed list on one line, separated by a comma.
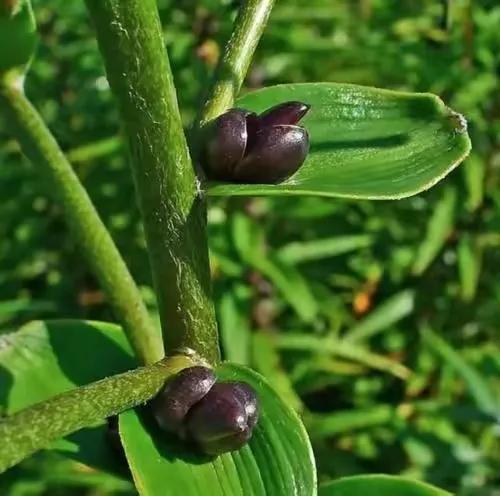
[(61, 379)]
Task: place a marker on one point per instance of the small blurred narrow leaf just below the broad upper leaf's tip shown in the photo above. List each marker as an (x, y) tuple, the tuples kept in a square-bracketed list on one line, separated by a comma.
[(438, 229)]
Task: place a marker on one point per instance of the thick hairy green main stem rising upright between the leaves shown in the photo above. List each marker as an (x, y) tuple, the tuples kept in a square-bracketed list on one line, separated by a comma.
[(131, 42)]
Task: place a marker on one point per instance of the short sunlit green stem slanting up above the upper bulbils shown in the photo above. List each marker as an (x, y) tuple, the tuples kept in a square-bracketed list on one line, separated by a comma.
[(232, 69)]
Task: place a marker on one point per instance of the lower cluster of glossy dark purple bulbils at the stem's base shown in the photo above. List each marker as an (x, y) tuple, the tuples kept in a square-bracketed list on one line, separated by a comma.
[(217, 417)]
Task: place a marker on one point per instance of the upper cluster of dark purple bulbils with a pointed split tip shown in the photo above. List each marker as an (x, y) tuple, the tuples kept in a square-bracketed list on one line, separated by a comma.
[(244, 147)]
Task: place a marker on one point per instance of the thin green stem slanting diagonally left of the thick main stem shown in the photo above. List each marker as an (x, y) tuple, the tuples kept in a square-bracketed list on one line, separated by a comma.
[(94, 241)]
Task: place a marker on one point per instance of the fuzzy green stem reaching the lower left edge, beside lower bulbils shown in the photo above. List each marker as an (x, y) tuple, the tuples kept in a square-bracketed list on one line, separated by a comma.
[(35, 427)]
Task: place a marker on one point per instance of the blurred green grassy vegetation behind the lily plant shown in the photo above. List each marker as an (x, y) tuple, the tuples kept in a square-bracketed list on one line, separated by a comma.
[(378, 321)]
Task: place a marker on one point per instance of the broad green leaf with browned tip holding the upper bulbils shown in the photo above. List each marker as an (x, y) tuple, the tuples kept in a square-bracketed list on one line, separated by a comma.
[(365, 142)]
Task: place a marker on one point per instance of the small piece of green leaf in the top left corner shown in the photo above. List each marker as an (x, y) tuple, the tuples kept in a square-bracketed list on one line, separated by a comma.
[(18, 36)]
